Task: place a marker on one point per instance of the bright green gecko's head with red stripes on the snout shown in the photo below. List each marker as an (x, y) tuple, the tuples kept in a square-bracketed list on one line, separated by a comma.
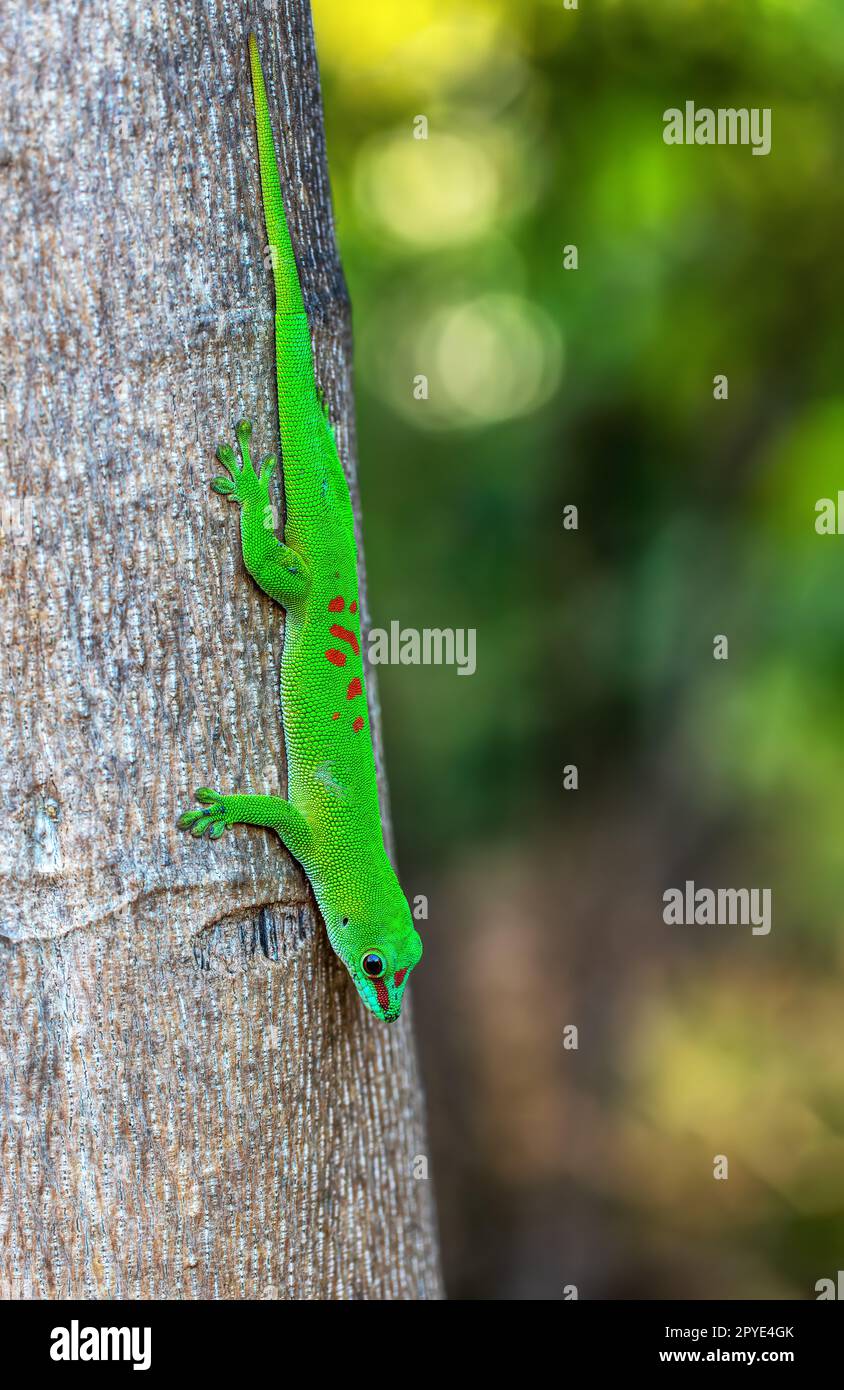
[(380, 951)]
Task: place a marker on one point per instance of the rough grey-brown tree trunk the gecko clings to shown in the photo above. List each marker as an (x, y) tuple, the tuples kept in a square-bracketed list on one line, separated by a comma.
[(194, 1103)]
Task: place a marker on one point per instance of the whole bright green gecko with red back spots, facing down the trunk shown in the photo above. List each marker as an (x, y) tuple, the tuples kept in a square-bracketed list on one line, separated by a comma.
[(332, 821)]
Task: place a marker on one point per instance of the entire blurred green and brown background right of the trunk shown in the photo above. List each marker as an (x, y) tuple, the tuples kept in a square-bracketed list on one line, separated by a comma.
[(553, 387)]
